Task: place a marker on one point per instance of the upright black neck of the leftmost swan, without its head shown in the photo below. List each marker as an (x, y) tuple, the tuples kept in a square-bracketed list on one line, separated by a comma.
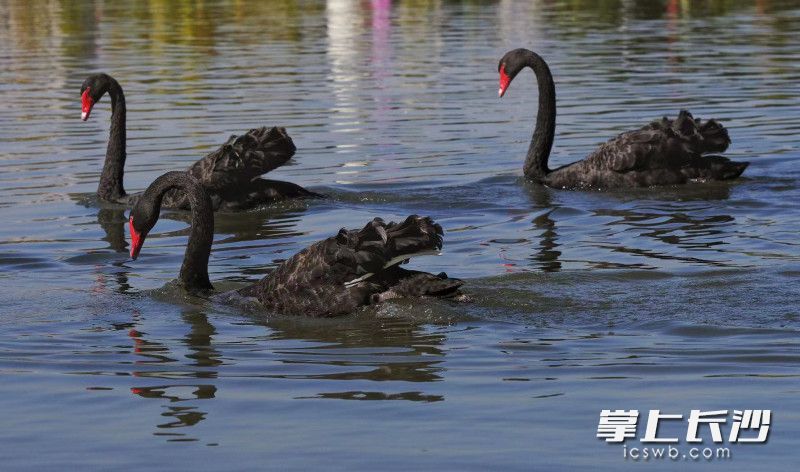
[(111, 188)]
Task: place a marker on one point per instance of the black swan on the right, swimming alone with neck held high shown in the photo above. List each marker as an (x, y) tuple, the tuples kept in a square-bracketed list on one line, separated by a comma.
[(664, 152)]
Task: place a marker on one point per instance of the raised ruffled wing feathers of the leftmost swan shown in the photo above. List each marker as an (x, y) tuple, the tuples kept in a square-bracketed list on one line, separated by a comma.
[(242, 158)]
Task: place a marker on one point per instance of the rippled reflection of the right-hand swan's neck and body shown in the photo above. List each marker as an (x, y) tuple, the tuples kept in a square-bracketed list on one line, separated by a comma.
[(647, 224)]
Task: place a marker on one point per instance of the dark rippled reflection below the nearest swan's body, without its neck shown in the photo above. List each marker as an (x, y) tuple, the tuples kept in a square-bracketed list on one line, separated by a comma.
[(385, 351)]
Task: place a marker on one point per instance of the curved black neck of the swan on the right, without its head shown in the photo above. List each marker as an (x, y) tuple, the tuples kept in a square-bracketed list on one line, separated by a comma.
[(542, 141)]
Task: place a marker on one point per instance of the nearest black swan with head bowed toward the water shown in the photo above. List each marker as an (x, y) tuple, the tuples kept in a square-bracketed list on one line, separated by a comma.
[(331, 277)]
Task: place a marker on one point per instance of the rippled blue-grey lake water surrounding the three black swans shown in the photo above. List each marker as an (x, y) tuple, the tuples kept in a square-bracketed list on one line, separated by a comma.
[(672, 299)]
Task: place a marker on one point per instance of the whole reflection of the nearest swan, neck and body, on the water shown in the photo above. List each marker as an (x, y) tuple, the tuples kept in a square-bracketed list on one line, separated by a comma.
[(387, 354)]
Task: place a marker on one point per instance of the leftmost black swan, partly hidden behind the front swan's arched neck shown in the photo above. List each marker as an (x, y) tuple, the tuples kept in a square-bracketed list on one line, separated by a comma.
[(229, 174)]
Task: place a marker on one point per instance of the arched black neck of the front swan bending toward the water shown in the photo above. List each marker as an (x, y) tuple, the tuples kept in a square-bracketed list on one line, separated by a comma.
[(194, 271)]
